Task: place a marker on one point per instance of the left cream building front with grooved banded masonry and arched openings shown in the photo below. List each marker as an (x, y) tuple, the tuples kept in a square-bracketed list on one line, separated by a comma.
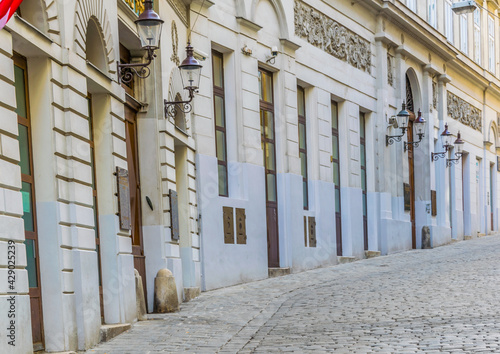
[(88, 165)]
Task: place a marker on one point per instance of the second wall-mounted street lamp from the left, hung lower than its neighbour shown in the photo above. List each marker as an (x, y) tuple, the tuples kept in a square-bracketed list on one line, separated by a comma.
[(190, 70)]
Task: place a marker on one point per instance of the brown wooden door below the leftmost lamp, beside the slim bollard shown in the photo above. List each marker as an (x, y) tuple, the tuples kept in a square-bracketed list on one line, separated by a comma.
[(135, 193)]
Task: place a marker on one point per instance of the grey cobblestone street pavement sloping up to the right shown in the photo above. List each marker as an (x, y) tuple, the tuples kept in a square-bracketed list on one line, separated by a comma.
[(440, 300)]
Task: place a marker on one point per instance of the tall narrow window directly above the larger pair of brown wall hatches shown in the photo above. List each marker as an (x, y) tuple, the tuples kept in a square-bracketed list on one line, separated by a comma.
[(220, 121)]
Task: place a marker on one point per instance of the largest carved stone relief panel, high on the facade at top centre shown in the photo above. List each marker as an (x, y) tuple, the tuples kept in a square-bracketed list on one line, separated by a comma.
[(328, 35)]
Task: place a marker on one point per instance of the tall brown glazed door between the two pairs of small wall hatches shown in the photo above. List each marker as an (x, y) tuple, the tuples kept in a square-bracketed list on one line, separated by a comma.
[(268, 147)]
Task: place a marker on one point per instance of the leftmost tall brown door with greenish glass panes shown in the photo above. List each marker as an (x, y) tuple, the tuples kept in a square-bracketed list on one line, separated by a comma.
[(28, 197)]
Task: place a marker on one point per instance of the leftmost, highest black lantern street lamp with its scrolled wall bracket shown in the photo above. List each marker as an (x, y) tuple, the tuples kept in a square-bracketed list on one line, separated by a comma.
[(149, 26)]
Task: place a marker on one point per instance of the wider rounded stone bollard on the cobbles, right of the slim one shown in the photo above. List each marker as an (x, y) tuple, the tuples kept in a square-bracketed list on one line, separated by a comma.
[(166, 299)]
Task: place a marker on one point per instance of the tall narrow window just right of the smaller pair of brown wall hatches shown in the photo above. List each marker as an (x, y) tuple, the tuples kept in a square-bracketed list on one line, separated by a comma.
[(336, 174)]
